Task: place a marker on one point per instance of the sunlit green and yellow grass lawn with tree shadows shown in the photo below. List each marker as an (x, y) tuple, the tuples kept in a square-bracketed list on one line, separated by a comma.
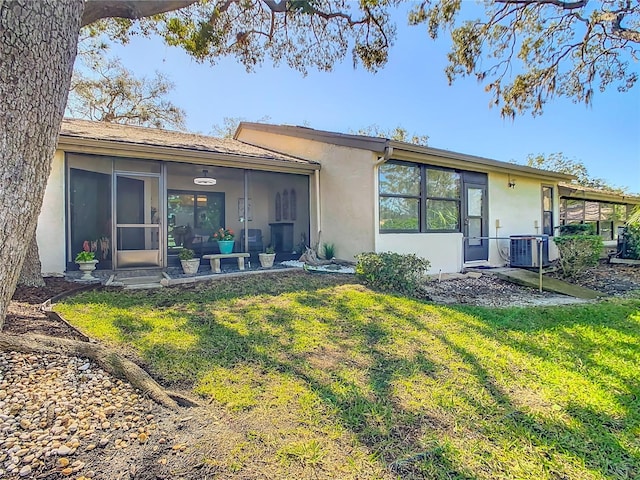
[(329, 379)]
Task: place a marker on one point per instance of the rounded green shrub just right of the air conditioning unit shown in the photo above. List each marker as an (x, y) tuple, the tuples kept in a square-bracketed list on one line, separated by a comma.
[(578, 253)]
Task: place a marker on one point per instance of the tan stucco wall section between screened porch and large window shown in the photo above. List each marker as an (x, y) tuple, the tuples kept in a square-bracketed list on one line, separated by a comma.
[(346, 190)]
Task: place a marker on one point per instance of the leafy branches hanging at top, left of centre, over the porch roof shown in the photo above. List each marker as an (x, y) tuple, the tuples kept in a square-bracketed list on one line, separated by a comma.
[(300, 34)]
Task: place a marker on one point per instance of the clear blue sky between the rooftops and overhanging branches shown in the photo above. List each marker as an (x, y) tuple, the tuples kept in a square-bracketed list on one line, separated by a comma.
[(412, 92)]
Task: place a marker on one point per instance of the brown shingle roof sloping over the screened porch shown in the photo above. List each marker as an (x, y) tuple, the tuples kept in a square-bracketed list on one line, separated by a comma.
[(84, 129)]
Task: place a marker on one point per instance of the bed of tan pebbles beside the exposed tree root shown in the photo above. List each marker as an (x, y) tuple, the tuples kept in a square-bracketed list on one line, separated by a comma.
[(55, 408)]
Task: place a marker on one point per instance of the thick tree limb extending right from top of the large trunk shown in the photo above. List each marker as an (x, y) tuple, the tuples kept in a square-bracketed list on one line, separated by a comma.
[(132, 9)]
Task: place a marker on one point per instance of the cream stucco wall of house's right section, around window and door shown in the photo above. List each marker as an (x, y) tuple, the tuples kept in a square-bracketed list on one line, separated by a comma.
[(349, 203)]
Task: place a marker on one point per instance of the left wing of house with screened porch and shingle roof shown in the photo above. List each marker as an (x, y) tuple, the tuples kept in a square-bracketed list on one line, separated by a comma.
[(140, 195)]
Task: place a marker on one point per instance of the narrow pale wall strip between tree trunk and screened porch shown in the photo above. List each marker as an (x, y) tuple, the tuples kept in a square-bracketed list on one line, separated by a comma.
[(50, 232)]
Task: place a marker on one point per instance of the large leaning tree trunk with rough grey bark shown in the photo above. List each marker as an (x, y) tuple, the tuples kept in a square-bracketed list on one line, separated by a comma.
[(38, 41)]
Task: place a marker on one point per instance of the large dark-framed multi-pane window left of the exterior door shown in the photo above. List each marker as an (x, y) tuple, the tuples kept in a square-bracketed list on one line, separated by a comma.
[(418, 198)]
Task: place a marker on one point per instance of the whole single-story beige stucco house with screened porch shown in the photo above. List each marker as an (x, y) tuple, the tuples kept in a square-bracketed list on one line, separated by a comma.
[(138, 196)]
